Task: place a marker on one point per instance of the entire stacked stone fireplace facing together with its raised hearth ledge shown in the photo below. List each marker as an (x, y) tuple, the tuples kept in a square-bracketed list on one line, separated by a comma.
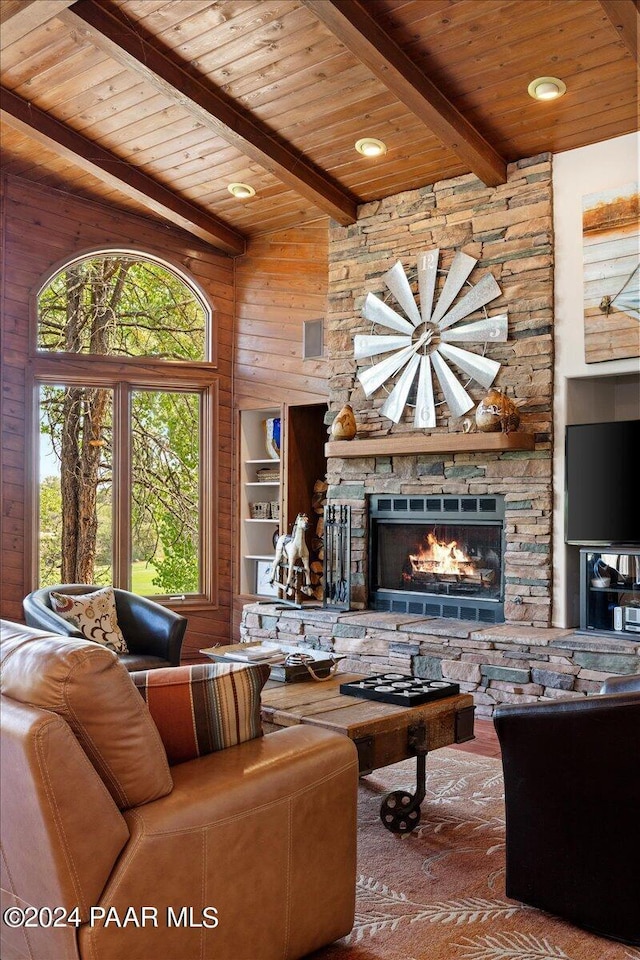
[(509, 230)]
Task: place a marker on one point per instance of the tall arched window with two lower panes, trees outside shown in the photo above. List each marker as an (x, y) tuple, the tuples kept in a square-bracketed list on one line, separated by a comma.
[(125, 401)]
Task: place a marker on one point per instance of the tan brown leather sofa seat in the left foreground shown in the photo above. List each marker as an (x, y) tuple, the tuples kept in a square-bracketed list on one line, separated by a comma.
[(247, 853)]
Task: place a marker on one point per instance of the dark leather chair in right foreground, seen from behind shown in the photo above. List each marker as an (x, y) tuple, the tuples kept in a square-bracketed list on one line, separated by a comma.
[(572, 796)]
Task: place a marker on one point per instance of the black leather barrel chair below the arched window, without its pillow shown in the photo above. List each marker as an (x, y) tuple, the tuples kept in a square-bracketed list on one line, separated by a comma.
[(153, 633)]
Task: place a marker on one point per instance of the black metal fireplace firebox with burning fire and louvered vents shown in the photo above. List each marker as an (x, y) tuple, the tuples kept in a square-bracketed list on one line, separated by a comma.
[(440, 556)]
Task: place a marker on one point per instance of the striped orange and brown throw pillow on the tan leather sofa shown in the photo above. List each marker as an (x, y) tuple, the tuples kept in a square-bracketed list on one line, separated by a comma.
[(205, 707)]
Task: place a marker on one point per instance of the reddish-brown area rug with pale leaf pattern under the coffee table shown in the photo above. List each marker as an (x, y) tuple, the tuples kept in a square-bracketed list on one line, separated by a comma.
[(438, 893)]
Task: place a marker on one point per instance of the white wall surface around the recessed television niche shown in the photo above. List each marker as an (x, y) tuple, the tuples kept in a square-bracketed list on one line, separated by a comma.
[(583, 392)]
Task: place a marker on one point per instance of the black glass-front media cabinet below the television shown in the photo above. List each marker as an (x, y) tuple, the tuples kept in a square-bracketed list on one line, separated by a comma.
[(610, 590)]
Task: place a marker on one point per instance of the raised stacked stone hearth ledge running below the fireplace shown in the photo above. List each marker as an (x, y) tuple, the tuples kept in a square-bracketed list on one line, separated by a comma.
[(504, 663)]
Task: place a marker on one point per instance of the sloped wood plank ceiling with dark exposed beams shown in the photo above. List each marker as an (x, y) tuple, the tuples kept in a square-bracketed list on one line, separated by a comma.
[(156, 106)]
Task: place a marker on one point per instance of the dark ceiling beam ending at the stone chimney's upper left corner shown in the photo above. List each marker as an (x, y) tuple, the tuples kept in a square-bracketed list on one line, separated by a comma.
[(216, 111)]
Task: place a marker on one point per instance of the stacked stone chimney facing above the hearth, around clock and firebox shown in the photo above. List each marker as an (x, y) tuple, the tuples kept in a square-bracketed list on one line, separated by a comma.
[(508, 229)]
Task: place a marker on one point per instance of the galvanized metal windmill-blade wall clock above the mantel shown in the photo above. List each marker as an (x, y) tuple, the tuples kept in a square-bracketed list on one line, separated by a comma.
[(424, 339)]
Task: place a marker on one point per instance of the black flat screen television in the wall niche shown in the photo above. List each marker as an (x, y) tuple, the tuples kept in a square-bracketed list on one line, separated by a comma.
[(602, 490)]
